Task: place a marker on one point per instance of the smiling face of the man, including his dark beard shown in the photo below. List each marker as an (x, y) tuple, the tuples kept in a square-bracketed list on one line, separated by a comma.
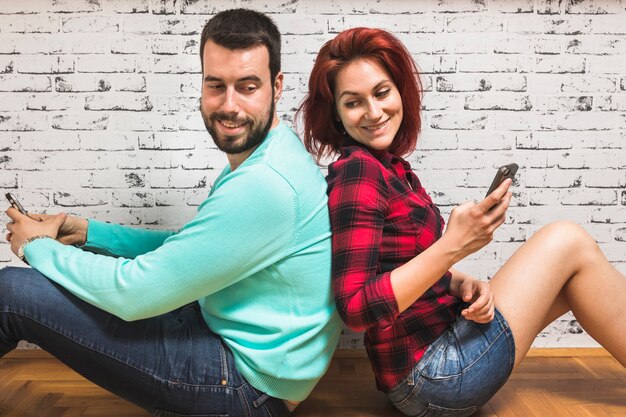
[(238, 97)]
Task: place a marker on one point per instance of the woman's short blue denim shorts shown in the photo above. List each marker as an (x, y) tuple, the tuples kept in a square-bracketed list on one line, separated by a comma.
[(459, 372)]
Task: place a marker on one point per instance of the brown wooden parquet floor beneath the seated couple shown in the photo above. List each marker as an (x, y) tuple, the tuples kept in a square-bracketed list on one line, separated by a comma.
[(549, 383)]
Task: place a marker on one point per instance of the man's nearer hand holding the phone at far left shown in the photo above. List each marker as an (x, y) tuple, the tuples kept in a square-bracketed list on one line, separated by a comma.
[(22, 228)]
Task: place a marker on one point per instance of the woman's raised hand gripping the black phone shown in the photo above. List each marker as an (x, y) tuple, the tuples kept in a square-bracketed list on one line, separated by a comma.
[(471, 225)]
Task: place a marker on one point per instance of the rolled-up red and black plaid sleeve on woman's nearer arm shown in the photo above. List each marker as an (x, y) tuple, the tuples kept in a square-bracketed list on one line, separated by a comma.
[(358, 202)]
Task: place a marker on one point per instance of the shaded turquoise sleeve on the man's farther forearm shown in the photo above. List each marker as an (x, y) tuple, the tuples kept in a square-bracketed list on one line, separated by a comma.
[(117, 240)]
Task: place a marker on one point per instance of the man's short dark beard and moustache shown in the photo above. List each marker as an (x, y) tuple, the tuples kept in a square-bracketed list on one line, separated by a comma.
[(227, 144)]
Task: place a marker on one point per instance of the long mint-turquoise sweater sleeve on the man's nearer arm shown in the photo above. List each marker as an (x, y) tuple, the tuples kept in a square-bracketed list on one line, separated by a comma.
[(246, 225)]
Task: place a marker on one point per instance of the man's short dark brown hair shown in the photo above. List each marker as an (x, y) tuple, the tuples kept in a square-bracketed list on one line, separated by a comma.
[(242, 29)]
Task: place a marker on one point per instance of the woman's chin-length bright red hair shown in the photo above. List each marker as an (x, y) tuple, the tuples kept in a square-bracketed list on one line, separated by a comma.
[(323, 135)]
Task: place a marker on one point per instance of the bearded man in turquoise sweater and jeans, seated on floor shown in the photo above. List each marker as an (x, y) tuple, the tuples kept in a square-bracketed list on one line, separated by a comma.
[(231, 315)]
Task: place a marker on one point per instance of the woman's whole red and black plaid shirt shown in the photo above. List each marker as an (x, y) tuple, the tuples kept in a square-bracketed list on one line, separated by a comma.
[(381, 217)]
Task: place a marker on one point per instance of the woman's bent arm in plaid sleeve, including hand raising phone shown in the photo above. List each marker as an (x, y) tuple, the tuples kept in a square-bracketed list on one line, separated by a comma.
[(358, 203)]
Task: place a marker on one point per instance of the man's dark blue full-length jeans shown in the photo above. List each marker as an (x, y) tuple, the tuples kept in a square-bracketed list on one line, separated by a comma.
[(171, 365)]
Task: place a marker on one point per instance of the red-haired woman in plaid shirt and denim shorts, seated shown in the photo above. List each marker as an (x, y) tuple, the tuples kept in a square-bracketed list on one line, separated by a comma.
[(440, 341)]
